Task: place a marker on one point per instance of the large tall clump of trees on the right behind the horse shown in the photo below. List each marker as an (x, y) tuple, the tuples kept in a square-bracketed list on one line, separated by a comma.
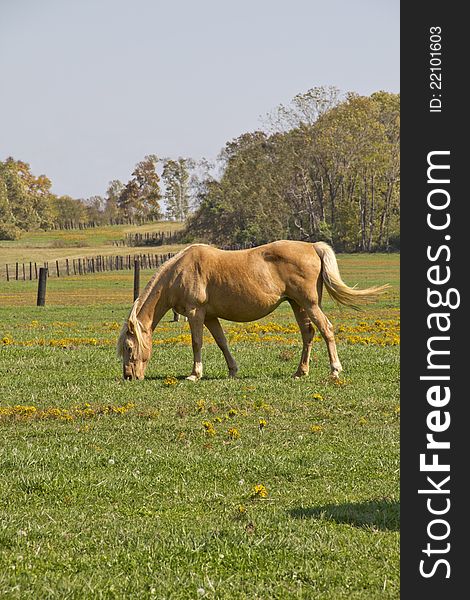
[(327, 168)]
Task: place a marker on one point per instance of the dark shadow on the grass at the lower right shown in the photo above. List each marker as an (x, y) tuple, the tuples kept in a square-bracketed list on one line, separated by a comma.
[(377, 514)]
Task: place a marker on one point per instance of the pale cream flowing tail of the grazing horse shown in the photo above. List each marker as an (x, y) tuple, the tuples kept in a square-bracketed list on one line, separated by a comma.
[(336, 287)]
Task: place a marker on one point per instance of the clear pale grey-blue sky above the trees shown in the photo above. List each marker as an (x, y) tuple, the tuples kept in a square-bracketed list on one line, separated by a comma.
[(89, 87)]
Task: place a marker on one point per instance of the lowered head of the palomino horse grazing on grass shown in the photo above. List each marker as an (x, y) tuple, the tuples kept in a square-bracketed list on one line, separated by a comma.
[(134, 347)]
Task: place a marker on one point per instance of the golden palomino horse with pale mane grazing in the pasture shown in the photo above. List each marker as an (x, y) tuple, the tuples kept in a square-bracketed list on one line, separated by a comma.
[(204, 284)]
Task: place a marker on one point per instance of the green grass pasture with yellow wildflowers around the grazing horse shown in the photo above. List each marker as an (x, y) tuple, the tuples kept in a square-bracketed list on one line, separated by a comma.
[(259, 487)]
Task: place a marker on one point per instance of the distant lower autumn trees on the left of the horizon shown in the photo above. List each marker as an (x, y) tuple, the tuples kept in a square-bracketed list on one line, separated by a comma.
[(27, 202)]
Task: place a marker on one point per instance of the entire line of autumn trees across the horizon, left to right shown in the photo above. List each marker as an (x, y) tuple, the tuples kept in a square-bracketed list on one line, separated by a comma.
[(324, 167)]
